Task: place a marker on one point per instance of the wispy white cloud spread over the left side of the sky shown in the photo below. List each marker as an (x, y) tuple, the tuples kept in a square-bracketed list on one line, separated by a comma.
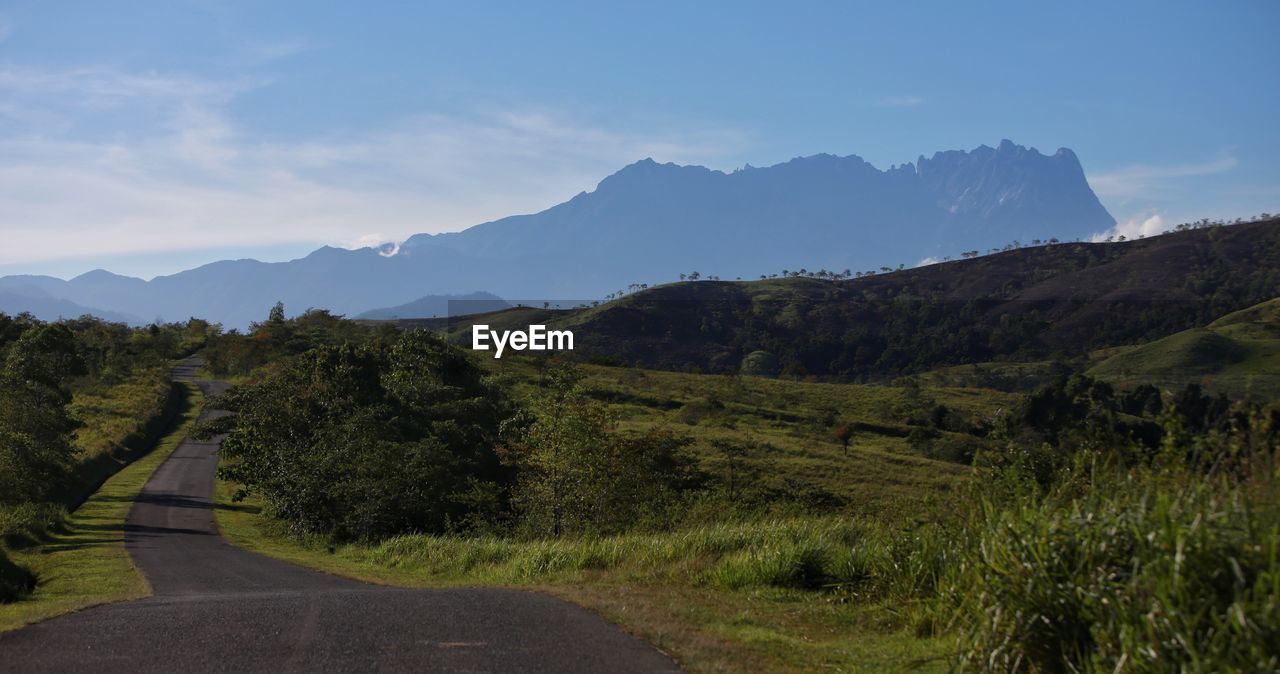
[(189, 177)]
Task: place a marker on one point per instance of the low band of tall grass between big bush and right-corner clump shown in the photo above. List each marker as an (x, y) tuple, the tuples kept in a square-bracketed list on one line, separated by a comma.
[(819, 553)]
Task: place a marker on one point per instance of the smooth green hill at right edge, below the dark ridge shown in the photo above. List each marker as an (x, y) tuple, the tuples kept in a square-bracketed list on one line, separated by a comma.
[(1238, 354)]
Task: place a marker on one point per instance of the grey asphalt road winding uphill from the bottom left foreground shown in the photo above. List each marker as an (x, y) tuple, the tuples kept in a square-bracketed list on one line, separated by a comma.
[(218, 608)]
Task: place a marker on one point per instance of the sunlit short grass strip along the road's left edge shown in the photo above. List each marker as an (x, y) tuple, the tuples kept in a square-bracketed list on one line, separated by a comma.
[(84, 562)]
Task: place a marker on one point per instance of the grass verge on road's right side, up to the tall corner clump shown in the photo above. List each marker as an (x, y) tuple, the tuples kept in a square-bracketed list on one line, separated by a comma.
[(725, 598)]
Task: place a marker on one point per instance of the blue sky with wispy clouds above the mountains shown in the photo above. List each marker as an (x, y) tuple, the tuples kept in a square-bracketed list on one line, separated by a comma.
[(152, 137)]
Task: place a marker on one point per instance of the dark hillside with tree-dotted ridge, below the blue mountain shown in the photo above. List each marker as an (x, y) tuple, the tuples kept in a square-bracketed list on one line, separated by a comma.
[(1049, 302)]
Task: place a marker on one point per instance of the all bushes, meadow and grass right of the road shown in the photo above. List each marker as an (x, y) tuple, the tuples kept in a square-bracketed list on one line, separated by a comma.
[(746, 522)]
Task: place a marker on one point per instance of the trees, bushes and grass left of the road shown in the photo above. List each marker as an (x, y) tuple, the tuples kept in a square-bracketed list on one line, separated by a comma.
[(79, 401)]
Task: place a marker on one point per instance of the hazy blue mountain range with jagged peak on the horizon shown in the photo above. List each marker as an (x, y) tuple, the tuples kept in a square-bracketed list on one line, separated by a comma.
[(646, 224)]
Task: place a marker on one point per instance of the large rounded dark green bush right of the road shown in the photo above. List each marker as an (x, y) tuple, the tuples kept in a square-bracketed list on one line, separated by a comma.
[(363, 442)]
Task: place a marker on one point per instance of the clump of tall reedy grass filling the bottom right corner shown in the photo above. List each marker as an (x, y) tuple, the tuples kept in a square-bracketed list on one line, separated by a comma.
[(1141, 575)]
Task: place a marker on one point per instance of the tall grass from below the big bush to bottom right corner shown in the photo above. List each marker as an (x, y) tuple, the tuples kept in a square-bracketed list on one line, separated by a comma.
[(1146, 571)]
